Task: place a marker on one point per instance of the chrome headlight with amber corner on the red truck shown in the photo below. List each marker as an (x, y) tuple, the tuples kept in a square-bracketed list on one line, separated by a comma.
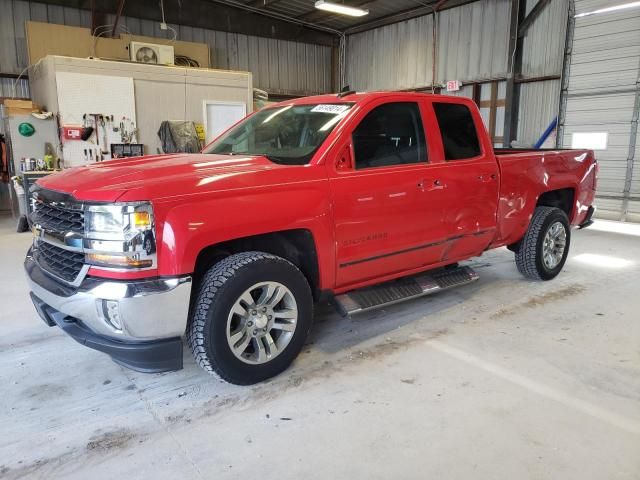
[(120, 236)]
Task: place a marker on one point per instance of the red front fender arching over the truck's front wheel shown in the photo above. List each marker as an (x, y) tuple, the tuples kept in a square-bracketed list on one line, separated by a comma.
[(191, 225)]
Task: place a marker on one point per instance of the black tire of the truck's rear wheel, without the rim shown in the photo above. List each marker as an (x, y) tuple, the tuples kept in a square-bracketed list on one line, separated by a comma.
[(529, 257)]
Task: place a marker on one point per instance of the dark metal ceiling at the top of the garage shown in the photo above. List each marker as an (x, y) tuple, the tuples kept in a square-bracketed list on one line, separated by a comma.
[(296, 20)]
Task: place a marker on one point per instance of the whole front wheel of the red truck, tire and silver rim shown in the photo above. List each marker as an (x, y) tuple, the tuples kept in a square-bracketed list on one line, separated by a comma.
[(251, 317)]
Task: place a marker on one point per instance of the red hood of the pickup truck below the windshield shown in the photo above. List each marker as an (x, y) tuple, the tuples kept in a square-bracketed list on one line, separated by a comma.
[(157, 176)]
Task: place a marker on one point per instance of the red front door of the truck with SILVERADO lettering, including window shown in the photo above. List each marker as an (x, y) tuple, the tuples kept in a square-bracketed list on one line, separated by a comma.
[(382, 210)]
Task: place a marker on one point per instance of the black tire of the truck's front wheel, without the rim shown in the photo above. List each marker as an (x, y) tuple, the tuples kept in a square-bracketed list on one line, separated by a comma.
[(221, 286)]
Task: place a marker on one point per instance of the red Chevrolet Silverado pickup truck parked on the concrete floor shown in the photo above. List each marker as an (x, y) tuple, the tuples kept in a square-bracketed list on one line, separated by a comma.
[(364, 199)]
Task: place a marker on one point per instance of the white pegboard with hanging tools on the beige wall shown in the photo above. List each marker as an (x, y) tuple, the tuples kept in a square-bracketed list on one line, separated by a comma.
[(101, 109)]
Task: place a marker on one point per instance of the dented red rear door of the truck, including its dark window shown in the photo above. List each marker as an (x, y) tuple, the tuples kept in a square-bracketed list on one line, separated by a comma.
[(469, 177)]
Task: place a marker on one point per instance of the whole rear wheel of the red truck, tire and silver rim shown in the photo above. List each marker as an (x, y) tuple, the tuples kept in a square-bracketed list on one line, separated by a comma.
[(544, 248)]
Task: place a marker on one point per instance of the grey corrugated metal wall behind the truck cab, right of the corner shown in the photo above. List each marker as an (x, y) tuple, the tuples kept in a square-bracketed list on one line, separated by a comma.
[(472, 46)]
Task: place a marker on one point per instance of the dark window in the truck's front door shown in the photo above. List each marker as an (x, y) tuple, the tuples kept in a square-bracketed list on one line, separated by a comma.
[(391, 134)]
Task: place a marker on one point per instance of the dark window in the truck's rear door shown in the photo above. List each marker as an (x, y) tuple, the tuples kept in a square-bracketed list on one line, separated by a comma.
[(459, 135)]
